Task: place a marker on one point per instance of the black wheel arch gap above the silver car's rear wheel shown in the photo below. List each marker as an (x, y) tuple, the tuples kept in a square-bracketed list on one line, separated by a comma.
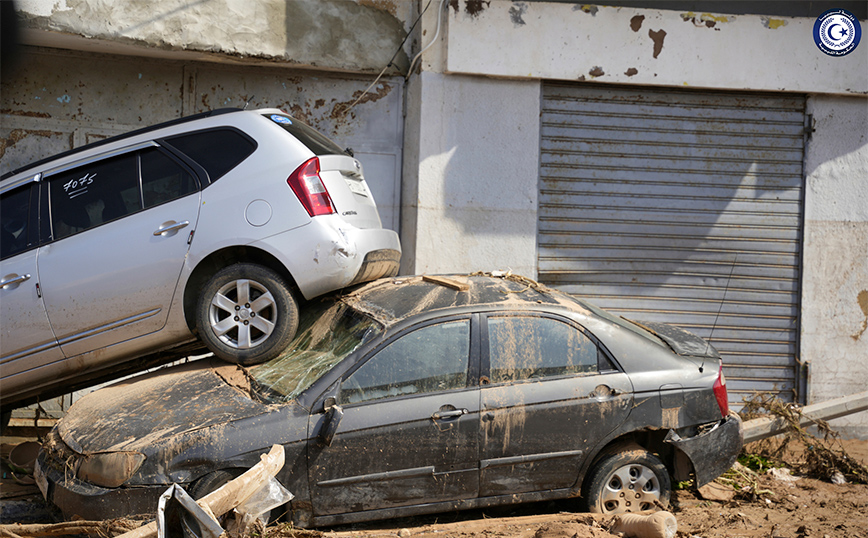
[(225, 257)]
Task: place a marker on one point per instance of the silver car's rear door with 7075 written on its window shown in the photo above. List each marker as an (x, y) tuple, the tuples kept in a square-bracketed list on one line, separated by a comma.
[(120, 228)]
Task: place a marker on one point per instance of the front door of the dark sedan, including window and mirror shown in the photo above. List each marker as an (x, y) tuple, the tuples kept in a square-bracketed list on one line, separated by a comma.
[(408, 434)]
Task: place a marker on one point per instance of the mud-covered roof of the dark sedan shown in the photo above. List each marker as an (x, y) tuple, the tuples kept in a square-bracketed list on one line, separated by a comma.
[(392, 300)]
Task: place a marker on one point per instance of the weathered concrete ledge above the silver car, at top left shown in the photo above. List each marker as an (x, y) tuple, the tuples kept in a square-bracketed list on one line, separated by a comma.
[(342, 35)]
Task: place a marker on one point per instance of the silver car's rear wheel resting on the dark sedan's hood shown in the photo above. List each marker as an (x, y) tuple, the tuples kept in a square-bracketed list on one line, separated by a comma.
[(246, 314)]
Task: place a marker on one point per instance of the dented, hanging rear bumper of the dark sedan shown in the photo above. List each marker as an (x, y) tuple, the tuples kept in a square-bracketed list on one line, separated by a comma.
[(713, 451)]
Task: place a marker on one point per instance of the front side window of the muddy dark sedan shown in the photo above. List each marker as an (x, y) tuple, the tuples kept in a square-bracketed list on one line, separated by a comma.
[(430, 359)]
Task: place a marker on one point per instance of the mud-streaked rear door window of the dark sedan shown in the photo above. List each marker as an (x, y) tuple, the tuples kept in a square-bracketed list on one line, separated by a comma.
[(531, 347)]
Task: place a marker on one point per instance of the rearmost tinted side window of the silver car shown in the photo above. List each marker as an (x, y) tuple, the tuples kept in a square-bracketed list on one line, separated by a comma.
[(217, 150)]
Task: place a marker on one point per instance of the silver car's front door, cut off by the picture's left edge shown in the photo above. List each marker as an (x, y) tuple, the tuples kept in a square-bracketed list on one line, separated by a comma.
[(27, 342)]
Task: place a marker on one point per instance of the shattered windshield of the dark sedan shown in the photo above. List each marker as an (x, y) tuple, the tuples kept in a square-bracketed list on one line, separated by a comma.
[(327, 334)]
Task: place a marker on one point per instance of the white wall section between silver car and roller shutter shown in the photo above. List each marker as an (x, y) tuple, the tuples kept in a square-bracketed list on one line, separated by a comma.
[(477, 152)]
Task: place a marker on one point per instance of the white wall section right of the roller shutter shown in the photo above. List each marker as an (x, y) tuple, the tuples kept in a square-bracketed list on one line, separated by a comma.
[(834, 338)]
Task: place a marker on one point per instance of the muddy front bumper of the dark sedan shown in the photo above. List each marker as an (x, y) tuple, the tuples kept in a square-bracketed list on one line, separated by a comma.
[(93, 503)]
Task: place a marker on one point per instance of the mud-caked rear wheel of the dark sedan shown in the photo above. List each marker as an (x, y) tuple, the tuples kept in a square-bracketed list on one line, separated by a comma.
[(630, 481)]
